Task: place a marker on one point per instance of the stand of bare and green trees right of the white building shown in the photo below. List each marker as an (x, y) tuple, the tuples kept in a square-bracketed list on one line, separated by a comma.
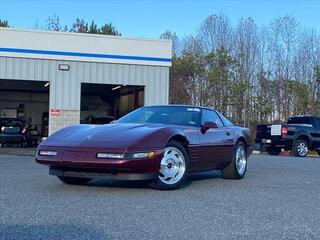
[(252, 74)]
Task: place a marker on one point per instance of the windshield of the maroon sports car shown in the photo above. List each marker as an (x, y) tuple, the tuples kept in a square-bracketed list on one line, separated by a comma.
[(180, 115)]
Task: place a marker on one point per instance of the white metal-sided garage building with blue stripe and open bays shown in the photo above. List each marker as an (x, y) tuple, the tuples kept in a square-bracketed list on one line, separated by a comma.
[(72, 78)]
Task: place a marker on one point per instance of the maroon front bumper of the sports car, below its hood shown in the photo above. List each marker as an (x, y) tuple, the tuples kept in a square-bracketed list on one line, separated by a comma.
[(85, 164)]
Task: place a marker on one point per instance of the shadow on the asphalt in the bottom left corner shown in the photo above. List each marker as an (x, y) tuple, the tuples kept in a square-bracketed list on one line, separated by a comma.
[(50, 231)]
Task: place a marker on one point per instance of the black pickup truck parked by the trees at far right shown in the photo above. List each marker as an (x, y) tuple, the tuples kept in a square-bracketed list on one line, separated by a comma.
[(299, 135)]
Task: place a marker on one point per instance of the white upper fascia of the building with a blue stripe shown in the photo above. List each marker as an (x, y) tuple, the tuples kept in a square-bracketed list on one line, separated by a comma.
[(84, 47)]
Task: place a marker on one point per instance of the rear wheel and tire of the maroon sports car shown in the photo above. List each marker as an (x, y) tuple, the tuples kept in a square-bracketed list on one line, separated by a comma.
[(237, 168)]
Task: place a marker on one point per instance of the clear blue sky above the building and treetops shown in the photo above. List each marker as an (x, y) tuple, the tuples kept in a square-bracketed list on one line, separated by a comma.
[(146, 18)]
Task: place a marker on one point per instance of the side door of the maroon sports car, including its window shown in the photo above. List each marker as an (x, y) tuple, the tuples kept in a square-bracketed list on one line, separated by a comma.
[(216, 143)]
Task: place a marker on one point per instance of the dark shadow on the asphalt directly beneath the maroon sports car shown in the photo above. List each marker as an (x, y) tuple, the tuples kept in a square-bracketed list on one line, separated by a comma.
[(147, 184)]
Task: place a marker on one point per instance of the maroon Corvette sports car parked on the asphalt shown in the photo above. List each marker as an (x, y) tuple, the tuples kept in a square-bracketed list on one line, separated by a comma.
[(158, 143)]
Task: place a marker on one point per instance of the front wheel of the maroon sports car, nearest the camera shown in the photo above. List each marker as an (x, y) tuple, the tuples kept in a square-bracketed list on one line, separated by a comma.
[(174, 167)]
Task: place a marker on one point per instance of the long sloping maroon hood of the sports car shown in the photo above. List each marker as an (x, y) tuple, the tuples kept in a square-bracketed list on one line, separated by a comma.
[(109, 136)]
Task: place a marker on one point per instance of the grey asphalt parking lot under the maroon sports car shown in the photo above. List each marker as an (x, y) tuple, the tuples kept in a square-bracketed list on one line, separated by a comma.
[(278, 199)]
